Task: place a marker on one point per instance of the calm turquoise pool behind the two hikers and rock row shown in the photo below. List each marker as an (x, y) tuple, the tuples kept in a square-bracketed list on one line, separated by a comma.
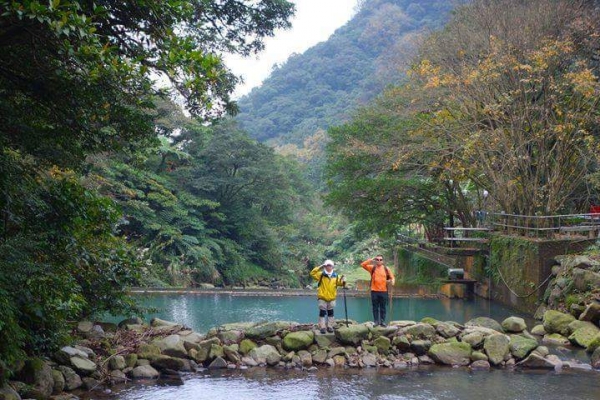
[(202, 312)]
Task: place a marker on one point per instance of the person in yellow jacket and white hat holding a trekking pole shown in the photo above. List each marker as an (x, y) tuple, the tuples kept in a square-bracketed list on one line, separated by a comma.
[(329, 281)]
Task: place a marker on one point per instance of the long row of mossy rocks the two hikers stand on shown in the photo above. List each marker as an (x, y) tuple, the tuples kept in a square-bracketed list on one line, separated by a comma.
[(163, 350)]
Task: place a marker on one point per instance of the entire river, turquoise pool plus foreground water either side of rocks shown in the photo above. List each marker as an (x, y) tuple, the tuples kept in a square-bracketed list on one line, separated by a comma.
[(201, 312)]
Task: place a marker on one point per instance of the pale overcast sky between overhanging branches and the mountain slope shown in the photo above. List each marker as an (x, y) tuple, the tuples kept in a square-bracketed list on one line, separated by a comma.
[(314, 22)]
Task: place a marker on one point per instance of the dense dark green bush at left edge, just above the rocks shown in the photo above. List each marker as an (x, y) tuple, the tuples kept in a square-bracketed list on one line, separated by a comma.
[(57, 247)]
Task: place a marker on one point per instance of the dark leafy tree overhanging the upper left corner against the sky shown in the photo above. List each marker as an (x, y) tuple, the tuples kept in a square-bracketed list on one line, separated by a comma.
[(78, 76)]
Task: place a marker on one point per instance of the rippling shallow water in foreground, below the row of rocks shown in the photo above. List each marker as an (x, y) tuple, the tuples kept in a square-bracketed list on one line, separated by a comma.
[(434, 383)]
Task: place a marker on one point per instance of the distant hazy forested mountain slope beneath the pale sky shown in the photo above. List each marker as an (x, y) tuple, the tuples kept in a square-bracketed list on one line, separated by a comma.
[(322, 86)]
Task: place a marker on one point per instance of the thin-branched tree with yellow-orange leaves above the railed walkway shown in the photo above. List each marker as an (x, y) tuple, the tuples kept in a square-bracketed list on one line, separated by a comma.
[(516, 110)]
